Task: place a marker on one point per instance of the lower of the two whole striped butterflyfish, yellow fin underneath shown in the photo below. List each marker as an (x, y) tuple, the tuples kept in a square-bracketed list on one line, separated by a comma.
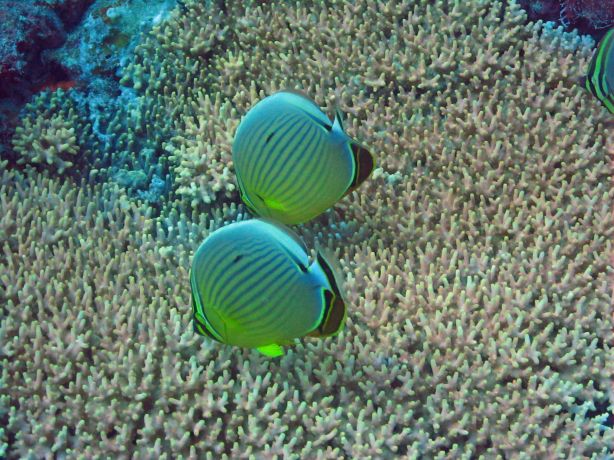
[(252, 286)]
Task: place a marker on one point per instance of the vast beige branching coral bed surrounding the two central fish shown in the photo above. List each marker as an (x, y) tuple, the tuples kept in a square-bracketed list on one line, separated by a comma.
[(477, 259)]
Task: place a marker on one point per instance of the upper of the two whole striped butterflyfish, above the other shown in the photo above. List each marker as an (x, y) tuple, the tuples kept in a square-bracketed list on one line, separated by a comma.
[(292, 162)]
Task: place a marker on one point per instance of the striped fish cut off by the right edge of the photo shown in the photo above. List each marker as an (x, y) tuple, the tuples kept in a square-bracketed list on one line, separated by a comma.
[(600, 77)]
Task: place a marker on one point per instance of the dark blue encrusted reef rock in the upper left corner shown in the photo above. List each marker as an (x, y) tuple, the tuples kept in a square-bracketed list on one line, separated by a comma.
[(46, 44)]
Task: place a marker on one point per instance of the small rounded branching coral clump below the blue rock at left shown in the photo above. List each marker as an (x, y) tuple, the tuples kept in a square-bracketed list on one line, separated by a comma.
[(53, 134)]
